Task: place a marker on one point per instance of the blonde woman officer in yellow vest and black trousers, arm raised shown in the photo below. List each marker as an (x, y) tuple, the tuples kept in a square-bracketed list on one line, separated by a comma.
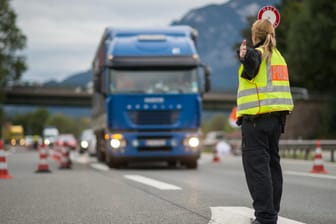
[(263, 102)]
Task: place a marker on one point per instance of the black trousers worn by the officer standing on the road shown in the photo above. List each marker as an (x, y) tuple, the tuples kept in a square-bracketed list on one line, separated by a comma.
[(261, 161)]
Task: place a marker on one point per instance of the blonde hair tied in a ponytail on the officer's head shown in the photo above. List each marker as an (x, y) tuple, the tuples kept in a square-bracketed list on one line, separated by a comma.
[(264, 30)]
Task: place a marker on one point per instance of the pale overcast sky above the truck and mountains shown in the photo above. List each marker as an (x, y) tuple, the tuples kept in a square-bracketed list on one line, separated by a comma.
[(62, 35)]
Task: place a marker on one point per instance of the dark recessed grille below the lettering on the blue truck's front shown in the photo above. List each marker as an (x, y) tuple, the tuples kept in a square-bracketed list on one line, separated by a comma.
[(158, 117)]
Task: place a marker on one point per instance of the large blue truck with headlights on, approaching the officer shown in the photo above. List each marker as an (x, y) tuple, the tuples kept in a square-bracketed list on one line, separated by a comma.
[(147, 96)]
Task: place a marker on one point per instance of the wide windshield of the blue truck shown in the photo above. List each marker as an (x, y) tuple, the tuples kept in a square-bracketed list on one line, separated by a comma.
[(154, 81)]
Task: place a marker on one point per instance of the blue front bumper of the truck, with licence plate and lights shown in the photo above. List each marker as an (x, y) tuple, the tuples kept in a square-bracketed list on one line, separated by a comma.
[(160, 146)]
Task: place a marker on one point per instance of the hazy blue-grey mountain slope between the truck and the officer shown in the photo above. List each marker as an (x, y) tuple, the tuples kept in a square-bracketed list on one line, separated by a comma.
[(219, 27)]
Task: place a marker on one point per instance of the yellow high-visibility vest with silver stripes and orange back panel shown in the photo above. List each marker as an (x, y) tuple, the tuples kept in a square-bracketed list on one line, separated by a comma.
[(268, 91)]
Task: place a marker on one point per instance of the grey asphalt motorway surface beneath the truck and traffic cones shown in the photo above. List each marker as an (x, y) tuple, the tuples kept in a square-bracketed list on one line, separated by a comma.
[(215, 193)]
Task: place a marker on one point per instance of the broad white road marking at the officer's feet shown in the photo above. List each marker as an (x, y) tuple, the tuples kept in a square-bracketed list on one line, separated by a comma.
[(239, 215)]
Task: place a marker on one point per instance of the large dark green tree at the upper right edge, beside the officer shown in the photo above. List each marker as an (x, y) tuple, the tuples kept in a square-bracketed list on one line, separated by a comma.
[(312, 46)]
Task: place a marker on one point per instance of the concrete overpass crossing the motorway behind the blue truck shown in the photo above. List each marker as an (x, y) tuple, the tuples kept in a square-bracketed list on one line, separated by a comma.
[(81, 97)]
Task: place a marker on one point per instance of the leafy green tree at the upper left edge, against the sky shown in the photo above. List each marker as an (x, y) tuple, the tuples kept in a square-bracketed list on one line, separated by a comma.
[(12, 41)]
